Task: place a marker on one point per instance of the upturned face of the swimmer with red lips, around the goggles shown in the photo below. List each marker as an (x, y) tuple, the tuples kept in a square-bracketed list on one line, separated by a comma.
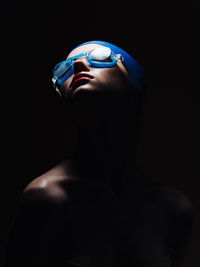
[(86, 78)]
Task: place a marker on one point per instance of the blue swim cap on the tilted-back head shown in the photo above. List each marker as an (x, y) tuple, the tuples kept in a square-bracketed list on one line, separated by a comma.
[(133, 66)]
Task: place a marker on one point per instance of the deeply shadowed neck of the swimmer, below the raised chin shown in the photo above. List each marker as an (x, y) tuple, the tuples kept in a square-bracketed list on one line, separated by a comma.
[(102, 148)]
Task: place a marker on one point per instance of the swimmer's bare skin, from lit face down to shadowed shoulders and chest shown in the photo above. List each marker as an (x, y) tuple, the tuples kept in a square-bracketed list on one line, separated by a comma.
[(96, 209)]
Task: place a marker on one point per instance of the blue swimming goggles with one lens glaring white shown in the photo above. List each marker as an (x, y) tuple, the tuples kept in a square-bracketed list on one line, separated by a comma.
[(101, 57)]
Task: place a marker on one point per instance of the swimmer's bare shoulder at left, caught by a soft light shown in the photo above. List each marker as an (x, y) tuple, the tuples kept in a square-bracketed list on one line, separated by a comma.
[(58, 186)]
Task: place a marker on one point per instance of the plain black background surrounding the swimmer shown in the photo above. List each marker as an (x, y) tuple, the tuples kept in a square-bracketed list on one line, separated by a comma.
[(162, 36)]
